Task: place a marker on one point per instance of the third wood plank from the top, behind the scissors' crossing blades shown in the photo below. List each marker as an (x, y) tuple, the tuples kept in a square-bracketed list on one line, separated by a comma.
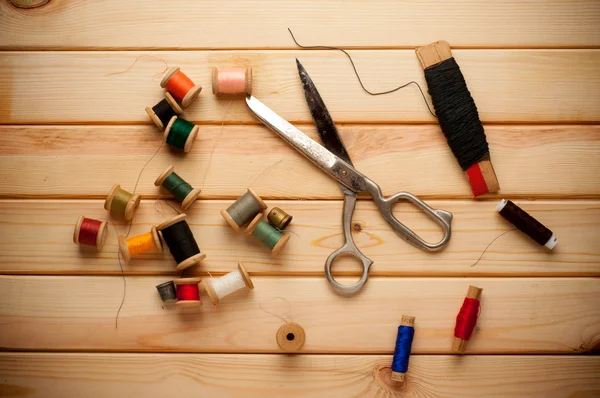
[(85, 161)]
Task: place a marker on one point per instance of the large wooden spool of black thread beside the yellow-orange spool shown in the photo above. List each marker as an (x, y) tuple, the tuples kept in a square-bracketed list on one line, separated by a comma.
[(180, 240)]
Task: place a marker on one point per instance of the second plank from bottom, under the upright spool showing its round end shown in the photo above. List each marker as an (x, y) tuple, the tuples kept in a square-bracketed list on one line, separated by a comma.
[(519, 315)]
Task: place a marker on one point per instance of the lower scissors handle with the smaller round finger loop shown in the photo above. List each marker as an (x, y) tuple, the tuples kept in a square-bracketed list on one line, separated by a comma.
[(348, 248)]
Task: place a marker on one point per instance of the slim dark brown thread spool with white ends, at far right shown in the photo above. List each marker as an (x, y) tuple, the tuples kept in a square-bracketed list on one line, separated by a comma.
[(527, 224)]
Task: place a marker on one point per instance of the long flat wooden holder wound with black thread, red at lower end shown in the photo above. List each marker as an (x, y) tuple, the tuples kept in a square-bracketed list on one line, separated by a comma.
[(460, 122)]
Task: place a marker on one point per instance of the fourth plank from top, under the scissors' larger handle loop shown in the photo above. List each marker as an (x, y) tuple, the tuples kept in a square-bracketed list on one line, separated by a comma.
[(37, 240)]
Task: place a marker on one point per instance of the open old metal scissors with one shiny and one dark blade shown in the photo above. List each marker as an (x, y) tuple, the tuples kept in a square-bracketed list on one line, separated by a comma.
[(334, 160)]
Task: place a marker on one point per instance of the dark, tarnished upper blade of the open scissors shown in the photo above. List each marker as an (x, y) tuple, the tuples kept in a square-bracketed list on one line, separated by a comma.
[(321, 117)]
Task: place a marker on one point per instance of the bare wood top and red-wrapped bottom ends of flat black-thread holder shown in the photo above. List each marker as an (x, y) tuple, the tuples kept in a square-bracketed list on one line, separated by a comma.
[(481, 175)]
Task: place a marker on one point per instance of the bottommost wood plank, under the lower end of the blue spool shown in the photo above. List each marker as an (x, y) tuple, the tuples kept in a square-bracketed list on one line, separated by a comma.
[(192, 375)]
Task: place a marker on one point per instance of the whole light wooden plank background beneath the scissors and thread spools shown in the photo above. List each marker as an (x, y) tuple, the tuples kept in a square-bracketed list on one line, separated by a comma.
[(71, 126)]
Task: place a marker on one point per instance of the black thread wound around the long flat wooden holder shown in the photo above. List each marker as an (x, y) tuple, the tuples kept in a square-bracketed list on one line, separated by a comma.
[(457, 113)]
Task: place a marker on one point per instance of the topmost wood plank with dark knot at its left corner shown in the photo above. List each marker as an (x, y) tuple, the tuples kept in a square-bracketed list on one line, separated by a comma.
[(264, 24)]
